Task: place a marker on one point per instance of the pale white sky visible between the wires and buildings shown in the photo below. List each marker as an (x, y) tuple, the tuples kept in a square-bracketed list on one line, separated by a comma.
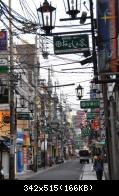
[(58, 63)]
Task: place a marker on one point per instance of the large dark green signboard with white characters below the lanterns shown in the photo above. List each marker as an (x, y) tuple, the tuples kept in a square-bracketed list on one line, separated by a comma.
[(71, 44)]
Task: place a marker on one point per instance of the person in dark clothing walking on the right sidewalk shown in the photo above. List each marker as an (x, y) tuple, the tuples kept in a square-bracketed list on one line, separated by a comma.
[(98, 167)]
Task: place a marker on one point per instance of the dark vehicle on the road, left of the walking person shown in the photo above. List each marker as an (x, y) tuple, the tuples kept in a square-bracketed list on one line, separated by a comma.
[(84, 156)]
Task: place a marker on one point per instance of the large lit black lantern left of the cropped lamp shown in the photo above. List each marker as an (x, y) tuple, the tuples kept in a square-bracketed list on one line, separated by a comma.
[(47, 16)]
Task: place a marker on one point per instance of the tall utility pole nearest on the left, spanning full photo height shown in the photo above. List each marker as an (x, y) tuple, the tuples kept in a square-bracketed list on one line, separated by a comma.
[(11, 102)]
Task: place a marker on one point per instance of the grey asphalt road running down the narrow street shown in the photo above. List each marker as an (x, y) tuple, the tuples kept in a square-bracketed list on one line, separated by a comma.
[(70, 170)]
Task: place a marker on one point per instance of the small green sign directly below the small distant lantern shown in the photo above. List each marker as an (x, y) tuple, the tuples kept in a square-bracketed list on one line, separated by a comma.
[(90, 104)]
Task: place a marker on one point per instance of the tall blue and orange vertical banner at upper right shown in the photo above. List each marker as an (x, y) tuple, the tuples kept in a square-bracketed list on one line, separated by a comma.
[(107, 43)]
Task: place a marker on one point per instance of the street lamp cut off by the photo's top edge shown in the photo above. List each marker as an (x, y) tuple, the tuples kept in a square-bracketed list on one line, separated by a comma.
[(72, 7)]
